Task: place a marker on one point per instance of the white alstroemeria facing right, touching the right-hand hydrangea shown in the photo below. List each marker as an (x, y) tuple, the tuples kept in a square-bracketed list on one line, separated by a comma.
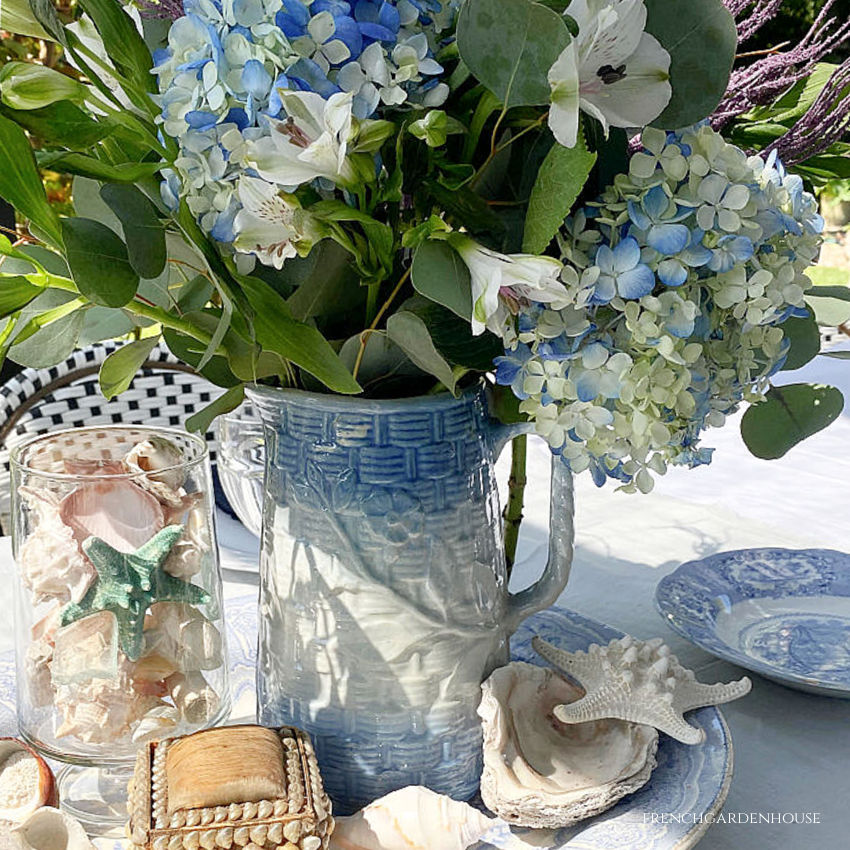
[(501, 283)]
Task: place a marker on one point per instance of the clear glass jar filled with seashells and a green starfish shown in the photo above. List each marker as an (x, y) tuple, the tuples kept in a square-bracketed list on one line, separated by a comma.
[(118, 616)]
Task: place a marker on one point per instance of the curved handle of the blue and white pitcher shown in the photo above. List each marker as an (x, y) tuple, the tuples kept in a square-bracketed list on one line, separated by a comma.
[(552, 582)]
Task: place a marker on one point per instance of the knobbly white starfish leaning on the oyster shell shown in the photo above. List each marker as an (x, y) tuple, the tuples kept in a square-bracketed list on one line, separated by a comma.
[(636, 680)]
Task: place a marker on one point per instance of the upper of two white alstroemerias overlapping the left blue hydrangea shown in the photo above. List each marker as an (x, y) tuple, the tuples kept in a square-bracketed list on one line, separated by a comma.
[(311, 142)]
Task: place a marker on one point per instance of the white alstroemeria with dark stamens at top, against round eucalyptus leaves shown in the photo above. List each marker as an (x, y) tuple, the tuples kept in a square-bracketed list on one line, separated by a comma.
[(612, 70)]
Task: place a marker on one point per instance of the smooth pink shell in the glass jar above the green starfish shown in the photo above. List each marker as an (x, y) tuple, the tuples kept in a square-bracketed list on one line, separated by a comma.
[(118, 512)]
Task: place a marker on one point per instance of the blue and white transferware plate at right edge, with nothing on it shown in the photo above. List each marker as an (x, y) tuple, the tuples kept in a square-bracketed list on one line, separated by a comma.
[(783, 613)]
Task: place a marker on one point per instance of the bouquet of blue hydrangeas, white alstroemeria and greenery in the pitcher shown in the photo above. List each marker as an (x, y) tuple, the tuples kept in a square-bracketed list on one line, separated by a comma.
[(387, 198)]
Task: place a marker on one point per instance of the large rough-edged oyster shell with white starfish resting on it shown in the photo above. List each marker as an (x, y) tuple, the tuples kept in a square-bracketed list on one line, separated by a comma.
[(540, 772)]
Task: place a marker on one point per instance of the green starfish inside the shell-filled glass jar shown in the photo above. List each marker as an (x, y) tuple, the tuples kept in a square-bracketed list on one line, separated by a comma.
[(127, 584)]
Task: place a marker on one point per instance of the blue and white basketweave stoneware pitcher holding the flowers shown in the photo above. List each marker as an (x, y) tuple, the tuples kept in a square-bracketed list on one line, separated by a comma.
[(383, 590)]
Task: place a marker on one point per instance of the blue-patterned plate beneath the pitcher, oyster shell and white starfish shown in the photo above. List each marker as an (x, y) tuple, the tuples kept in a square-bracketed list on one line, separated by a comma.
[(671, 812)]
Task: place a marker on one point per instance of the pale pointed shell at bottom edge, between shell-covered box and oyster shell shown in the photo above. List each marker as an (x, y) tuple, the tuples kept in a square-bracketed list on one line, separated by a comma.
[(412, 818)]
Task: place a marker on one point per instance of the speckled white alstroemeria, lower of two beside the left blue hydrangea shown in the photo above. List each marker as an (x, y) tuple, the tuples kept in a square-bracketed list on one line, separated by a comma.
[(266, 225)]
